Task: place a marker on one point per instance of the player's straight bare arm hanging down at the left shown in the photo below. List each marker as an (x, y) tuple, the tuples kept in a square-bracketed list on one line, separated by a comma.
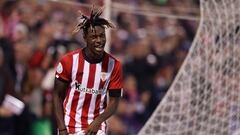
[(58, 97)]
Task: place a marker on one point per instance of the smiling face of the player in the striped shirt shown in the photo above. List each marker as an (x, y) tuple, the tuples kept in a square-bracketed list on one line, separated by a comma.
[(96, 40)]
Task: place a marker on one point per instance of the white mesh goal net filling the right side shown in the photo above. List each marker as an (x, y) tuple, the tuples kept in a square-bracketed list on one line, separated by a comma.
[(204, 98)]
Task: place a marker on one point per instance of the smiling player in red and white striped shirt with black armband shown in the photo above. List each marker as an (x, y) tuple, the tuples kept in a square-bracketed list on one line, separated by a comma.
[(83, 79)]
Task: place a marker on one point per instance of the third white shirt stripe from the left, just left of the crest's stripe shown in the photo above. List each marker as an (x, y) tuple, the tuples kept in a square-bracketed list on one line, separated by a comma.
[(94, 96)]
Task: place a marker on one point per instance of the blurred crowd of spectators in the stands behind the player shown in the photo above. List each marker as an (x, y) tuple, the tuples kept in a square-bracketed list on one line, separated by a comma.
[(34, 34)]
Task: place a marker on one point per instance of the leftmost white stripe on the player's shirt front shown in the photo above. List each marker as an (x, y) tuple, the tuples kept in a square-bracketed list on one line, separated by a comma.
[(71, 94)]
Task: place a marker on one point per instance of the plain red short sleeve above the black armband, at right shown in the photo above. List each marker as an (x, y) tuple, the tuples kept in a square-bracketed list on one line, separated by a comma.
[(116, 77)]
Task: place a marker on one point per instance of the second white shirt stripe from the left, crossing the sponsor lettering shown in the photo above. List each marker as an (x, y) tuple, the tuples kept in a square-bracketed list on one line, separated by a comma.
[(82, 95)]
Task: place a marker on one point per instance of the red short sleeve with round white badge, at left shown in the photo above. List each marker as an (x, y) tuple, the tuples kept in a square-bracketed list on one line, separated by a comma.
[(63, 69)]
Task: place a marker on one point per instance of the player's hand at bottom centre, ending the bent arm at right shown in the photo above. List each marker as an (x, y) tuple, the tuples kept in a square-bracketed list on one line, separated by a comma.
[(93, 127)]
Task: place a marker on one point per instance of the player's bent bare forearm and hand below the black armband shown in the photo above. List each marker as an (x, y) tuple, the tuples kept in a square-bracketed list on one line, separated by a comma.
[(110, 110)]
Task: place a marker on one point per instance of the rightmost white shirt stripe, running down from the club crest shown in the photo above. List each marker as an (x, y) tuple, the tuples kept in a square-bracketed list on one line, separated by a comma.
[(111, 64)]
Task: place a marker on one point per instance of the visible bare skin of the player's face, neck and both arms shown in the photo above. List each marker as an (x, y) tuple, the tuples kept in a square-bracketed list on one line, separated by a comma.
[(95, 49)]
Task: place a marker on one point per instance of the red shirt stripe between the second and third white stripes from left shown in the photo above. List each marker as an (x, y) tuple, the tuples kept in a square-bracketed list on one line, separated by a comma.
[(88, 97)]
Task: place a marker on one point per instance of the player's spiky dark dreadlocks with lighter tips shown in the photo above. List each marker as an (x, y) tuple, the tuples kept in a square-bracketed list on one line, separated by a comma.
[(94, 20)]
